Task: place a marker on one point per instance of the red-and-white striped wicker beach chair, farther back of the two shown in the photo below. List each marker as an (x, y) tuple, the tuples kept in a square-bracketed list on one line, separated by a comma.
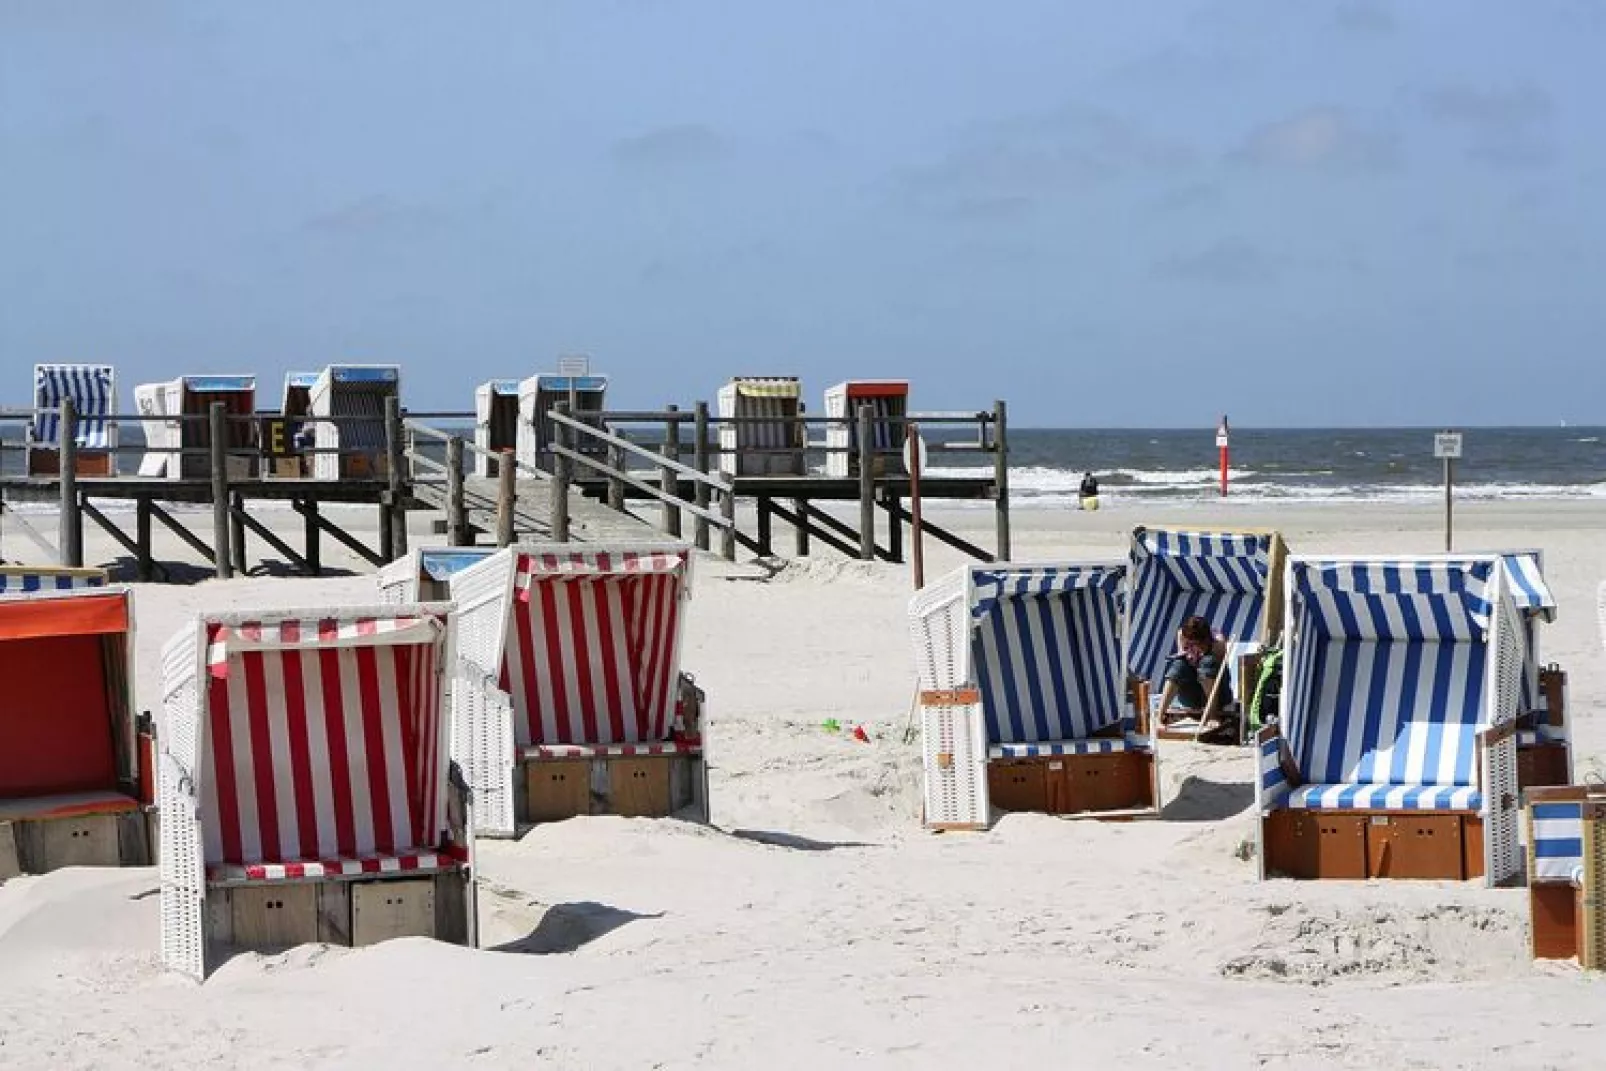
[(581, 704)]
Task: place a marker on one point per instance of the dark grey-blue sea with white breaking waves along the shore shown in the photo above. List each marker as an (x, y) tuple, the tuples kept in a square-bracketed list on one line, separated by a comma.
[(1298, 465)]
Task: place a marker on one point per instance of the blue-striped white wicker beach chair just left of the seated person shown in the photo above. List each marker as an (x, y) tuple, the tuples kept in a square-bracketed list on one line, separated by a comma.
[(1021, 674)]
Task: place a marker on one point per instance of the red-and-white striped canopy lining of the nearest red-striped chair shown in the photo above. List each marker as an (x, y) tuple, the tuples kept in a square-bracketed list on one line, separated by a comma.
[(324, 741)]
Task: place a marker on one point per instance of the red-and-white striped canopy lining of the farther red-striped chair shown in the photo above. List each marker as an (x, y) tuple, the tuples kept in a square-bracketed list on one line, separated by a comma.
[(592, 654)]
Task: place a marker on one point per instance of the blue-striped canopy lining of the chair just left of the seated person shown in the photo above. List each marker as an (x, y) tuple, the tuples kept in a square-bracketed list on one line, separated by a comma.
[(1046, 651)]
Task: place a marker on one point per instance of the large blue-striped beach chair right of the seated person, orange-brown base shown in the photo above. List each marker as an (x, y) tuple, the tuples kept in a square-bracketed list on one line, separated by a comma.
[(1396, 749)]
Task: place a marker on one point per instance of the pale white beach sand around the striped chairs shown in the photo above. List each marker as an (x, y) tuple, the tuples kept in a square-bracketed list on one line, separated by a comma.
[(817, 924)]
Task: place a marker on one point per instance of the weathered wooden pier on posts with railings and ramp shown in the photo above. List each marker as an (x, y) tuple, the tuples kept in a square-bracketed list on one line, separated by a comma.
[(608, 478)]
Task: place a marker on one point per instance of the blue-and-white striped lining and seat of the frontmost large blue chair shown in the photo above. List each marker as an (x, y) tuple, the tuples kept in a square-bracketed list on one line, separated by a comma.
[(1387, 678)]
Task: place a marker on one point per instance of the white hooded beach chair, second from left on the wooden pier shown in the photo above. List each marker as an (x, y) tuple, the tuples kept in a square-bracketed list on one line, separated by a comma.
[(192, 397)]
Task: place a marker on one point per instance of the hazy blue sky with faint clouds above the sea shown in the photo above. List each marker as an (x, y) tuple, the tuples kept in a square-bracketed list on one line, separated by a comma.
[(1109, 214)]
